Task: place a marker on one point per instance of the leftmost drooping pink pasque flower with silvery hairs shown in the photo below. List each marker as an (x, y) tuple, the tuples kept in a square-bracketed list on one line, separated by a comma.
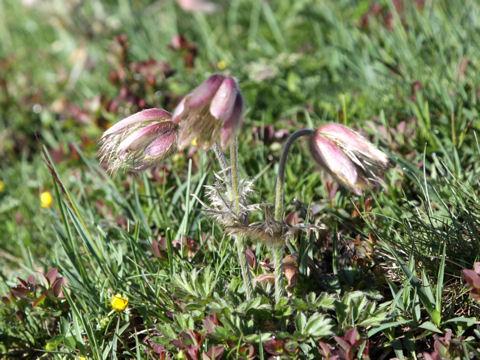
[(140, 141)]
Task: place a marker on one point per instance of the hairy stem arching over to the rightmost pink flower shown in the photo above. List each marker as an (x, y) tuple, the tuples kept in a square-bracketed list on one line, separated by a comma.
[(278, 249)]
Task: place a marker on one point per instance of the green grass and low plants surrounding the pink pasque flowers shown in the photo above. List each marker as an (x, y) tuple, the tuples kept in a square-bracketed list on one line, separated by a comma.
[(390, 263)]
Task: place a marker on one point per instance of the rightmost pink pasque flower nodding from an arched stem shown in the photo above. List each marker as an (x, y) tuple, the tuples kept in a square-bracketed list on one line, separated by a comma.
[(346, 155)]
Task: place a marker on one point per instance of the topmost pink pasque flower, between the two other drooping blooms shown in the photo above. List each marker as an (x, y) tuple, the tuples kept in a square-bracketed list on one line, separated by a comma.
[(210, 111)]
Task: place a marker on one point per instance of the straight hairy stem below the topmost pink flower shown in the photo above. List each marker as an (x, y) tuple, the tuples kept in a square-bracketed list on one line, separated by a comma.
[(241, 248)]
